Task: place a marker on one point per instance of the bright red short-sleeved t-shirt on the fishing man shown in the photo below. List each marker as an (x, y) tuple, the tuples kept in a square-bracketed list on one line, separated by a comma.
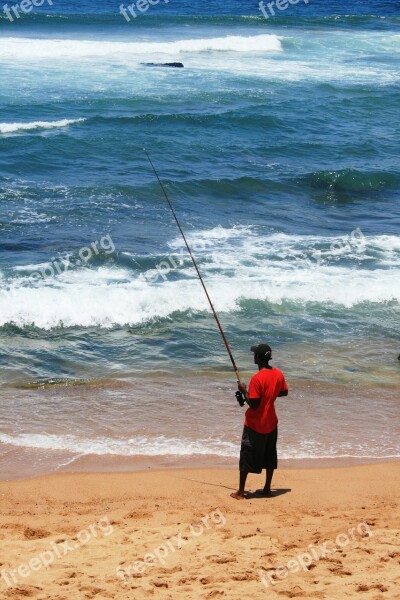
[(266, 384)]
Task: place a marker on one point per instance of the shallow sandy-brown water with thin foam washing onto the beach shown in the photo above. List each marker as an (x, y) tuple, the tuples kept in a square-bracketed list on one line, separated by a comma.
[(80, 429)]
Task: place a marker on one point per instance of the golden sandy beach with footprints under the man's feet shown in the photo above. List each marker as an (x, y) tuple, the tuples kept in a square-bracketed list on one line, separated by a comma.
[(327, 533)]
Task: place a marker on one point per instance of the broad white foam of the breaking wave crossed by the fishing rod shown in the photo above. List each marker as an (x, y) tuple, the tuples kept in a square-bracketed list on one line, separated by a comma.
[(274, 268)]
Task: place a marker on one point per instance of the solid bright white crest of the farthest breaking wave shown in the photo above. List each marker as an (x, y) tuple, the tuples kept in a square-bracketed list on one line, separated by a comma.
[(27, 49)]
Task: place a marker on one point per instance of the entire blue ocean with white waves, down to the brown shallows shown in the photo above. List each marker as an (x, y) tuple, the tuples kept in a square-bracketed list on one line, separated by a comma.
[(278, 144)]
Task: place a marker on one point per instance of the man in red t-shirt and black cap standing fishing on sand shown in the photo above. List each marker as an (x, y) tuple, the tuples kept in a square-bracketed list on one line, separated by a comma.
[(260, 433)]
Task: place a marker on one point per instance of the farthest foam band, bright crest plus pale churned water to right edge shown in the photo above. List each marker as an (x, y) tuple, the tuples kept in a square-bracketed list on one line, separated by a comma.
[(242, 55)]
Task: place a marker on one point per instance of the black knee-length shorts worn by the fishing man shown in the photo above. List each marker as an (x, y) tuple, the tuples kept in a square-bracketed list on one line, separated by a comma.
[(258, 451)]
